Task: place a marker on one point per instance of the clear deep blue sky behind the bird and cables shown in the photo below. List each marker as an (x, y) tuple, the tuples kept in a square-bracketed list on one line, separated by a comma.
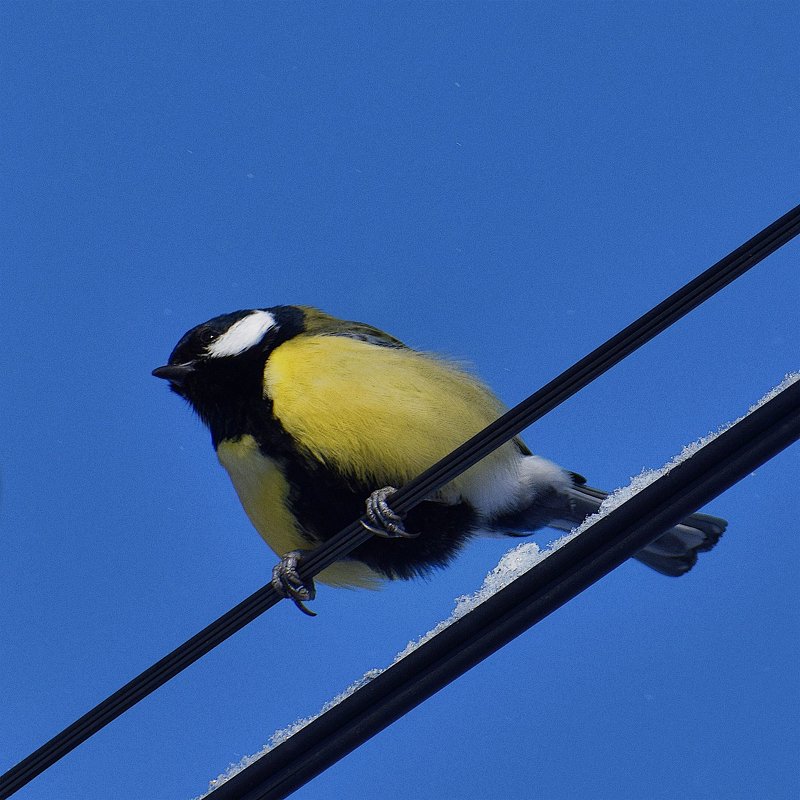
[(508, 184)]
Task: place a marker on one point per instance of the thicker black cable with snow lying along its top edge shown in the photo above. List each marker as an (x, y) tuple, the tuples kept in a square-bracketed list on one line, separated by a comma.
[(527, 600)]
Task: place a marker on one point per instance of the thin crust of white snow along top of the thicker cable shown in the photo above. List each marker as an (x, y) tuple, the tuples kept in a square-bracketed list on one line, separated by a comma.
[(514, 563)]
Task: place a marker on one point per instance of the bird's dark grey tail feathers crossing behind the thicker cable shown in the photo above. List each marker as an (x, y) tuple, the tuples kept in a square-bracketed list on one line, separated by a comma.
[(674, 553)]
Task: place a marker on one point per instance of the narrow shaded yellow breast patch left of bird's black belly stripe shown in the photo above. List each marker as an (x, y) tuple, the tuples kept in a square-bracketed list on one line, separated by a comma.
[(263, 493)]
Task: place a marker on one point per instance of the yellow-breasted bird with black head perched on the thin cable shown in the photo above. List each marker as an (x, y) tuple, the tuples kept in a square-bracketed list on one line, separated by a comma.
[(318, 420)]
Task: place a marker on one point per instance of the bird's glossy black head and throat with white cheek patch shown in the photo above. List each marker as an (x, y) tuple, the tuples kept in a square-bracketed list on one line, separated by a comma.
[(218, 366)]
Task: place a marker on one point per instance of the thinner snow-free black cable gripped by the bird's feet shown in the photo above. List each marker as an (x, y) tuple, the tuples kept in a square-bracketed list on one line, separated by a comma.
[(559, 389)]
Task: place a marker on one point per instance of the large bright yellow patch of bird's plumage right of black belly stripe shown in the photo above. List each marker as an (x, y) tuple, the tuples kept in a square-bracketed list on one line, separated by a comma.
[(380, 414)]
